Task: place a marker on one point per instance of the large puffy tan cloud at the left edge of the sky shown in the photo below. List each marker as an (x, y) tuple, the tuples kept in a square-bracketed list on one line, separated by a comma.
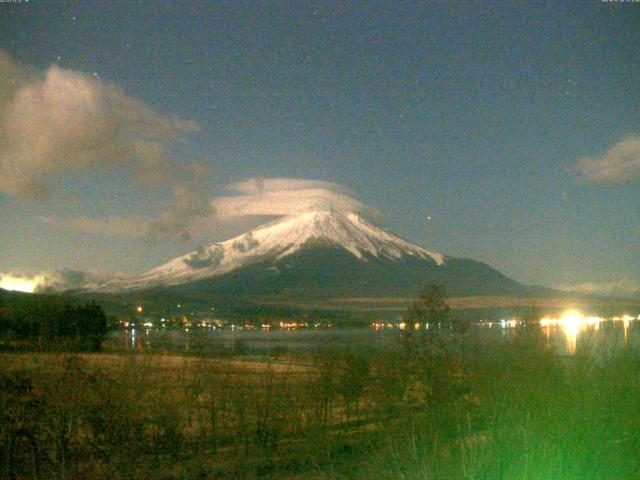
[(62, 120)]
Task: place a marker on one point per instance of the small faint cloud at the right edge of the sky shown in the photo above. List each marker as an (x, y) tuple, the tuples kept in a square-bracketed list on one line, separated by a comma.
[(621, 163)]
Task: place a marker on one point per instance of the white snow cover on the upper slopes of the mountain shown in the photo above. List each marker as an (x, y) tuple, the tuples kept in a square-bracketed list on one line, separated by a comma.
[(276, 240)]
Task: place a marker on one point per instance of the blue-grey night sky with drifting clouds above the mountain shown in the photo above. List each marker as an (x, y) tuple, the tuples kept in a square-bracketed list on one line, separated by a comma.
[(508, 133)]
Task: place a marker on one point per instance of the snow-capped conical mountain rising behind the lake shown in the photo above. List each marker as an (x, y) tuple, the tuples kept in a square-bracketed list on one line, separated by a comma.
[(320, 254)]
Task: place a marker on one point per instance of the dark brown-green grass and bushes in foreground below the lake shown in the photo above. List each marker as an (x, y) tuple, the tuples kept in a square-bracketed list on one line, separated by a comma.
[(431, 408)]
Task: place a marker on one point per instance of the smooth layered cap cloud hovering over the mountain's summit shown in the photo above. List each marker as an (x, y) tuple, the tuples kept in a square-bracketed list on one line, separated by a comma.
[(285, 196)]
